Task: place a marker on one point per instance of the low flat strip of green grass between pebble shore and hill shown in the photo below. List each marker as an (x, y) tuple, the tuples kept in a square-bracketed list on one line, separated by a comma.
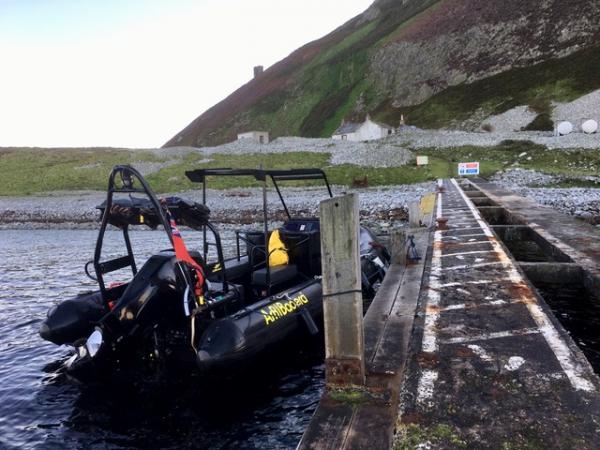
[(33, 171)]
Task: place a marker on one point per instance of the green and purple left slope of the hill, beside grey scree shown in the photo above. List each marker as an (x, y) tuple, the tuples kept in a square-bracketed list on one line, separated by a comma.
[(309, 92)]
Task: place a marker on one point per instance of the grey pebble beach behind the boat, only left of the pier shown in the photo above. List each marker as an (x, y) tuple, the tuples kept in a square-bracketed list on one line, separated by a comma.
[(78, 210)]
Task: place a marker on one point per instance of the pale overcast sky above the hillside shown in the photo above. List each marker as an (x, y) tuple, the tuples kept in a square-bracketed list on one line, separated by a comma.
[(133, 73)]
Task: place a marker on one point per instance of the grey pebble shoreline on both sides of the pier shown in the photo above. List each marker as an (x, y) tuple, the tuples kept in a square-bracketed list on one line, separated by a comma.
[(77, 210)]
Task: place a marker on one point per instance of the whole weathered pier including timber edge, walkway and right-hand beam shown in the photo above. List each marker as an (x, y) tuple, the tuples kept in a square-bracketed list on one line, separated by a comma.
[(470, 355)]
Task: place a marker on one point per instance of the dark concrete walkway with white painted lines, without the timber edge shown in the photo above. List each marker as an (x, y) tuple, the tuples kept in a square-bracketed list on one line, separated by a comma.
[(491, 367)]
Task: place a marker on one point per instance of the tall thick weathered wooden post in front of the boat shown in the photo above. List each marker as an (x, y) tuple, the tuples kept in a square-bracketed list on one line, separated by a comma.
[(342, 297)]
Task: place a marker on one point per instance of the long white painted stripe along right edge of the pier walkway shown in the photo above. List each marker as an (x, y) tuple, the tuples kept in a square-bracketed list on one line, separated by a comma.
[(564, 355)]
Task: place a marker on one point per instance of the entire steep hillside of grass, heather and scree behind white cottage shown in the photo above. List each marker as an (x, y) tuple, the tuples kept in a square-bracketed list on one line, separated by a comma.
[(445, 63)]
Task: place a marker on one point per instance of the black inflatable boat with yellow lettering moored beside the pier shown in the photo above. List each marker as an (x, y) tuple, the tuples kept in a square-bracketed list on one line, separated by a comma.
[(188, 305)]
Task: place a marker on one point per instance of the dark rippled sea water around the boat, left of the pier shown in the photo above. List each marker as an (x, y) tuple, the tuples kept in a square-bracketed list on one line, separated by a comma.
[(40, 407)]
